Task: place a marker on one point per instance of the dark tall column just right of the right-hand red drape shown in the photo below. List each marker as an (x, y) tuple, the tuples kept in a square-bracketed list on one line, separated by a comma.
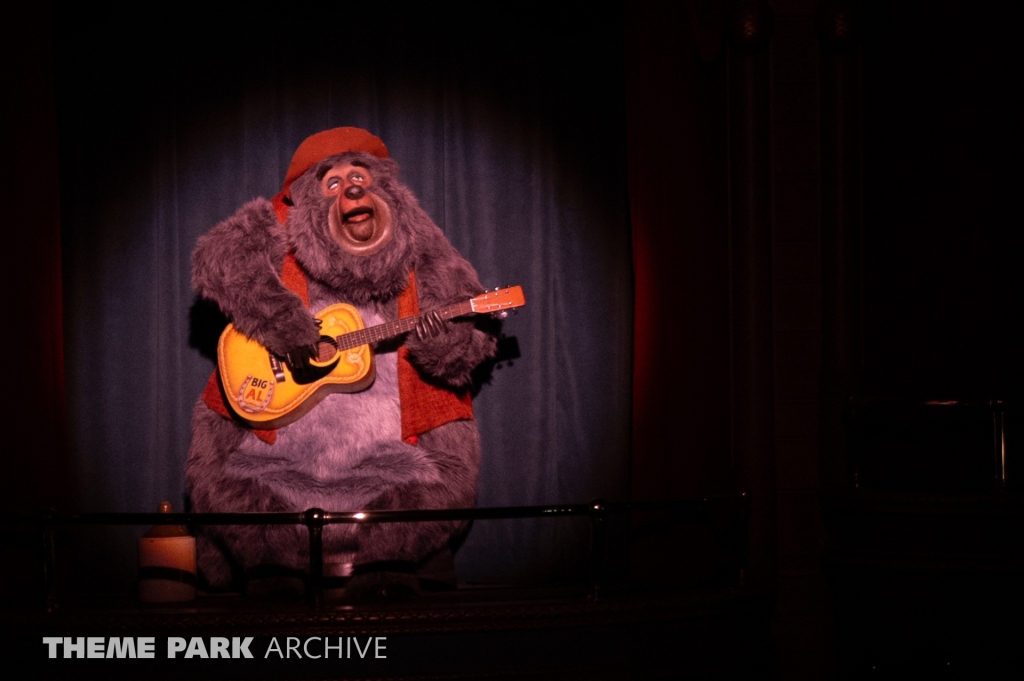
[(749, 31)]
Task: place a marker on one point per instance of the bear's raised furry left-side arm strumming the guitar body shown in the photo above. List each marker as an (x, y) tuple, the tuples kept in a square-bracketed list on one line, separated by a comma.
[(237, 266)]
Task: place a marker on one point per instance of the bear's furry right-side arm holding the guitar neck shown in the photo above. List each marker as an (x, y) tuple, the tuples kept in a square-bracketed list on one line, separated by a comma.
[(443, 278)]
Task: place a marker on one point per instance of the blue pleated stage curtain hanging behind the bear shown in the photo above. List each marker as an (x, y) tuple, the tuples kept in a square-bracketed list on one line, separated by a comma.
[(510, 132)]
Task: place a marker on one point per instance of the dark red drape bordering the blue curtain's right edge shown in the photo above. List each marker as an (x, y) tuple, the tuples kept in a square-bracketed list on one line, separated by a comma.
[(678, 206)]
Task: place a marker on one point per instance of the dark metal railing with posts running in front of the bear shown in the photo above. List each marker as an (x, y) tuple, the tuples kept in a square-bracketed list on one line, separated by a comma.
[(316, 520)]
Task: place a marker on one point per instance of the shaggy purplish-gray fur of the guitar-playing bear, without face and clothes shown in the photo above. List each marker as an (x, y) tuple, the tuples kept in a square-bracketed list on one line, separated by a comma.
[(346, 454)]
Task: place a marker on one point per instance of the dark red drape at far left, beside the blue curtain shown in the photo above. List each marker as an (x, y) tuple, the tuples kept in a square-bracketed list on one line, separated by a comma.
[(34, 453)]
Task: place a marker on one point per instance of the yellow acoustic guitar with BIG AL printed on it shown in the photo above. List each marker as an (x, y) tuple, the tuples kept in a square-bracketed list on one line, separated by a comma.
[(267, 393)]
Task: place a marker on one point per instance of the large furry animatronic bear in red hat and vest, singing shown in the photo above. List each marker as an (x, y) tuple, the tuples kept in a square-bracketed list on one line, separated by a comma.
[(343, 230)]
